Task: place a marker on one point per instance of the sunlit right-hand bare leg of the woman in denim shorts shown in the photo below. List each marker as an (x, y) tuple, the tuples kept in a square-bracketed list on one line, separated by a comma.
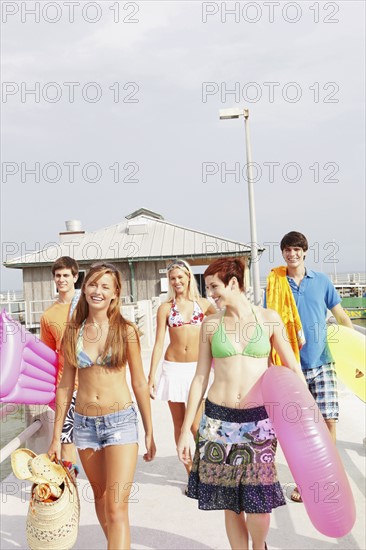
[(121, 464)]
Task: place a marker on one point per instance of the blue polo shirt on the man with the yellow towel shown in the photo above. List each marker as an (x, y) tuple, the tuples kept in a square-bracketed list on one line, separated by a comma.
[(313, 297)]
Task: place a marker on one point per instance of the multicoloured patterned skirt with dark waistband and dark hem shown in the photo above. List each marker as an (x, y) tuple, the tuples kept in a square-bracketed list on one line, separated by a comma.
[(234, 463)]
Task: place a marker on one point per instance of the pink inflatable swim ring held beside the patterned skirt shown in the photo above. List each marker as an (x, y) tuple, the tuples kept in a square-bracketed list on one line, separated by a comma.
[(310, 452)]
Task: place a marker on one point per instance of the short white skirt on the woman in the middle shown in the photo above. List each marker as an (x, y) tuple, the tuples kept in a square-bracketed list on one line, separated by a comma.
[(175, 381)]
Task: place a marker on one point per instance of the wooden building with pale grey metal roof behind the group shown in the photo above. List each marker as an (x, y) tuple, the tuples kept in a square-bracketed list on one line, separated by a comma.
[(141, 246)]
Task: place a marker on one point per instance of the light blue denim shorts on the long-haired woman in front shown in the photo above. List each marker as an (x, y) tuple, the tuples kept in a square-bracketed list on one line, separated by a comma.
[(97, 432)]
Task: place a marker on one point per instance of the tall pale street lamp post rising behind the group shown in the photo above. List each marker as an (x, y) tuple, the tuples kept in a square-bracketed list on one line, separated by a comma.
[(236, 113)]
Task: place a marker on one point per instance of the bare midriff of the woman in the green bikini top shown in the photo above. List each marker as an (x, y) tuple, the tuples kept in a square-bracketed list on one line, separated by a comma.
[(237, 382)]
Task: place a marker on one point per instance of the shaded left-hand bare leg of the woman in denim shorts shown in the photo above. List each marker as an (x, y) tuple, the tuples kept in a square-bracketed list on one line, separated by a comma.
[(95, 468)]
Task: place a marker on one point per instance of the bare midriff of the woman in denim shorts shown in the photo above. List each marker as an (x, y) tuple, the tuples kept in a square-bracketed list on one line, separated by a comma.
[(102, 390)]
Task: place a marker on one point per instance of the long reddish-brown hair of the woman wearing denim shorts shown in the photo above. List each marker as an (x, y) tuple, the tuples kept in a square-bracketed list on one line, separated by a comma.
[(118, 326)]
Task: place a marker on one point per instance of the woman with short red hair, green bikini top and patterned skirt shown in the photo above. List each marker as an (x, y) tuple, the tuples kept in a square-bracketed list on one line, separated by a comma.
[(234, 464)]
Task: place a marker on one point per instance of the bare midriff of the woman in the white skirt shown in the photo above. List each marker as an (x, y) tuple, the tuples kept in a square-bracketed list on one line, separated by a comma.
[(184, 344)]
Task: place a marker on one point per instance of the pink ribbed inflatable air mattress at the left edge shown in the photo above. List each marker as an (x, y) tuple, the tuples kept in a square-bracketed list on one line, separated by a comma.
[(28, 367)]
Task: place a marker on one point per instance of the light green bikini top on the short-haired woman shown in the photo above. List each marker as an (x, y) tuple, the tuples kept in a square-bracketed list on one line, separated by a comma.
[(258, 346)]
